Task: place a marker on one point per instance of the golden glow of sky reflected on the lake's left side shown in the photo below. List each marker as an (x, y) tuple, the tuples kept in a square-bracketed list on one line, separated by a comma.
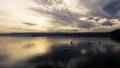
[(18, 49)]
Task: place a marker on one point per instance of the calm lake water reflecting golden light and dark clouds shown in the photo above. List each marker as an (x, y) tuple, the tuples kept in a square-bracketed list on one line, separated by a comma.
[(59, 52)]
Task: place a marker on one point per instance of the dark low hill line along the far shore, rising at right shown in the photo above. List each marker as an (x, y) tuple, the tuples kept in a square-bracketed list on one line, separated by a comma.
[(115, 33)]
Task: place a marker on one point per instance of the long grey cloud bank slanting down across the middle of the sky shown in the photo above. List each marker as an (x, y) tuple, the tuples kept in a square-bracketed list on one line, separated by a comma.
[(65, 17)]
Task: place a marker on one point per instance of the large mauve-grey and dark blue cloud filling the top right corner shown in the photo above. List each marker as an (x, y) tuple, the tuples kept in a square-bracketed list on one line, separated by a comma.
[(103, 8)]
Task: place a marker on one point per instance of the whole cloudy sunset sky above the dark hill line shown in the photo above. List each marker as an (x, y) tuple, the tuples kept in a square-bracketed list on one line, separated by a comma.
[(59, 15)]
